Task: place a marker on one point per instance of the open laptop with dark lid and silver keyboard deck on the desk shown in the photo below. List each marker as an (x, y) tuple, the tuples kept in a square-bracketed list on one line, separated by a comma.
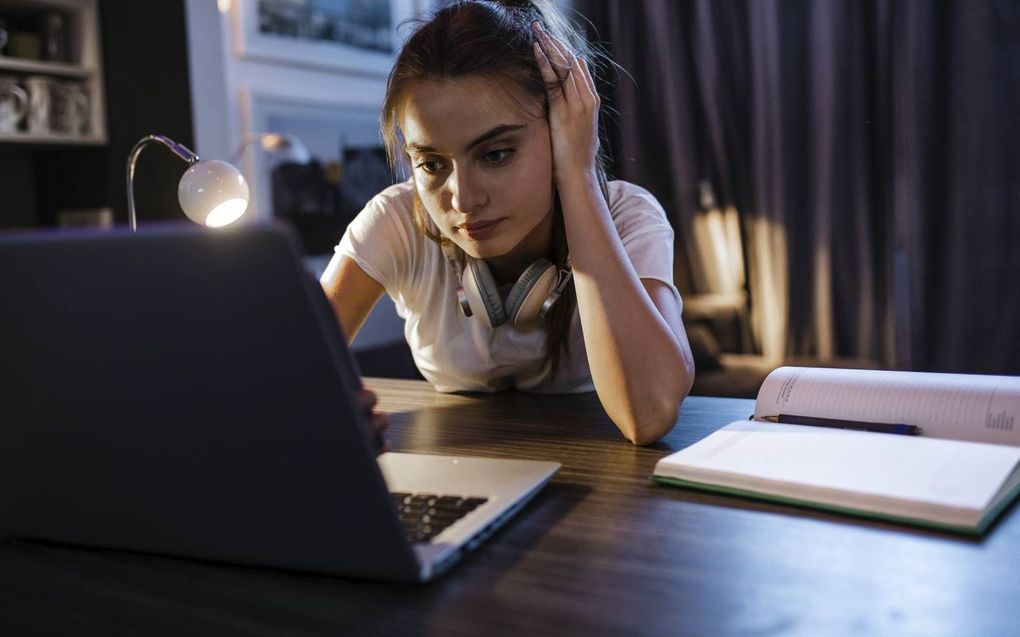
[(188, 393)]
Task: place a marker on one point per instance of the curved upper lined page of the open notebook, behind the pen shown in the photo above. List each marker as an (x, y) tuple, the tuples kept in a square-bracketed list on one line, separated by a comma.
[(961, 407)]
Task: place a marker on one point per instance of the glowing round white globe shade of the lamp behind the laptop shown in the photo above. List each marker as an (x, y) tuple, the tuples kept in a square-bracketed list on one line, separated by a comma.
[(214, 193)]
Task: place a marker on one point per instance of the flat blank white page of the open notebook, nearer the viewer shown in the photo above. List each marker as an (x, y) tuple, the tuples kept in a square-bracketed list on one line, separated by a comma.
[(858, 466)]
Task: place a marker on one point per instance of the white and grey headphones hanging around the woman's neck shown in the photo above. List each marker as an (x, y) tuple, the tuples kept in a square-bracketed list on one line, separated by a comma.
[(530, 299)]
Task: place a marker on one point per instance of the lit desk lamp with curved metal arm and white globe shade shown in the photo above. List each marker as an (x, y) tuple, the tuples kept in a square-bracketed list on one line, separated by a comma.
[(212, 193)]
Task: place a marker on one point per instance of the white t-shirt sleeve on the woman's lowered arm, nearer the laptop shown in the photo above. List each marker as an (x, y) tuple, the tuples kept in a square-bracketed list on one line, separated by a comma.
[(382, 240)]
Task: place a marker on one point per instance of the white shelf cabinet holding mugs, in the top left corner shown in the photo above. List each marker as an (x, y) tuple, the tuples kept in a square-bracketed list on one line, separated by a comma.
[(52, 79)]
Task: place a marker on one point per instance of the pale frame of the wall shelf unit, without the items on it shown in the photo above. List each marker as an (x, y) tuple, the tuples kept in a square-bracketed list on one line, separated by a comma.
[(85, 67)]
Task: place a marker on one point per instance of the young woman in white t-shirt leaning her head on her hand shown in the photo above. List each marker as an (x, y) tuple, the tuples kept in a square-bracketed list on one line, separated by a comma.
[(508, 218)]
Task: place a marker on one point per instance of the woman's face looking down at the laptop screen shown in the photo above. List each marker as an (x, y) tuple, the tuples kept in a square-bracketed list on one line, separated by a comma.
[(483, 167)]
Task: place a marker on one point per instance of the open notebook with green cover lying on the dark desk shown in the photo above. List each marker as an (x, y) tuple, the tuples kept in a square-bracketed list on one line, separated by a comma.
[(961, 471)]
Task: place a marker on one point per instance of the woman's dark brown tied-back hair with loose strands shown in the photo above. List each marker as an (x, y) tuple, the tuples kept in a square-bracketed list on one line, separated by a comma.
[(491, 40)]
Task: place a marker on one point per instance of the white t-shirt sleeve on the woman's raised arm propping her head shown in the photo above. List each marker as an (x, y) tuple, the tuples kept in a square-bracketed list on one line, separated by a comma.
[(645, 232)]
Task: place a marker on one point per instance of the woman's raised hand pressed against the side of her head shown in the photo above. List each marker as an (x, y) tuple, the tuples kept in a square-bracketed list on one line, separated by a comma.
[(574, 109)]
